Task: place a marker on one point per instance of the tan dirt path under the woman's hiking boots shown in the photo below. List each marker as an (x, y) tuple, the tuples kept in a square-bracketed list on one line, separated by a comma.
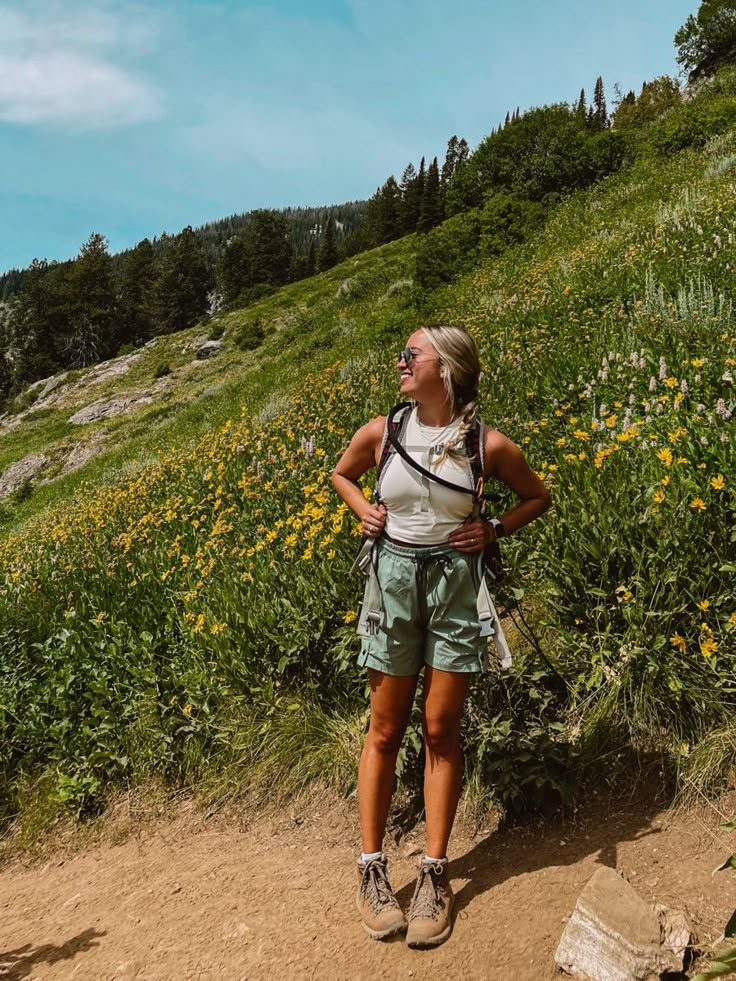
[(184, 900)]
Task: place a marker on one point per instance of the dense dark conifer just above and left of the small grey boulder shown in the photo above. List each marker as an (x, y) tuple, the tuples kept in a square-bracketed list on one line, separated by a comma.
[(182, 289)]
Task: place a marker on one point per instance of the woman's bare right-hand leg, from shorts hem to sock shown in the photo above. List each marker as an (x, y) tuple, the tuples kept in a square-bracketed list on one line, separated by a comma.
[(444, 695)]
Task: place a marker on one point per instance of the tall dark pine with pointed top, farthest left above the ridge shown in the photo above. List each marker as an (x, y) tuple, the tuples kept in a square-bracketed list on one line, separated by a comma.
[(93, 334)]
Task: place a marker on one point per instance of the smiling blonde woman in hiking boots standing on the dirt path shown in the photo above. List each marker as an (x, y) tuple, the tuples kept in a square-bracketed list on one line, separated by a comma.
[(426, 560)]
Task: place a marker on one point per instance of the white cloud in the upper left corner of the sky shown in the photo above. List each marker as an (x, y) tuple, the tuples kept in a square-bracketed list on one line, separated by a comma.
[(67, 66)]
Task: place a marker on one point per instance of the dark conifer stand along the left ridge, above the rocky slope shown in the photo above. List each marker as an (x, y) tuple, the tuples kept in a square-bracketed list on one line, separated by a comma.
[(74, 314)]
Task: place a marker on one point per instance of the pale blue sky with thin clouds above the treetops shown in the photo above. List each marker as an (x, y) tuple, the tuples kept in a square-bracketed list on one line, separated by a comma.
[(131, 119)]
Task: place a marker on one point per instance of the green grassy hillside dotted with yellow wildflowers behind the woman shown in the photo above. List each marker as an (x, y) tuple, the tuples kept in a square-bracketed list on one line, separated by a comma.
[(193, 618)]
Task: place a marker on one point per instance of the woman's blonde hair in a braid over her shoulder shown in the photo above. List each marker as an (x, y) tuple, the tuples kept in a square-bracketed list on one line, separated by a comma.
[(460, 363)]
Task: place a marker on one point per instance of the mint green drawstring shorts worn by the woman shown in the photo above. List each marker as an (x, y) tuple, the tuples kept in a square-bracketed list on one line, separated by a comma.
[(428, 614)]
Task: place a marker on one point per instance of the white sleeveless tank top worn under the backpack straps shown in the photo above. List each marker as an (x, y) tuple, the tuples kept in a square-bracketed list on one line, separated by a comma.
[(419, 510)]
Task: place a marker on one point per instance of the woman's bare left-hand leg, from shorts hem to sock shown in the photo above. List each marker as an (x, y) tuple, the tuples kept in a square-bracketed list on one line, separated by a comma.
[(391, 700)]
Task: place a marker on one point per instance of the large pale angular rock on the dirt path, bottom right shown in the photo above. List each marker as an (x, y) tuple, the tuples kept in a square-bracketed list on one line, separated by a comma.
[(613, 935)]
